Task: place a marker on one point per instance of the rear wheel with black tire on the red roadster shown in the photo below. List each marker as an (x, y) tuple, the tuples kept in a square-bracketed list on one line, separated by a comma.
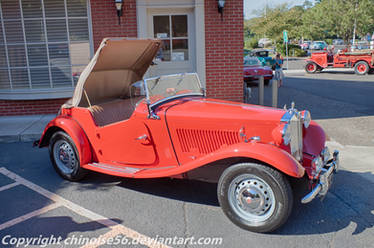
[(70, 169)]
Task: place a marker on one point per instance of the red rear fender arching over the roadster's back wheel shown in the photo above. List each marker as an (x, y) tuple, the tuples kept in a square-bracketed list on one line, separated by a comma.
[(73, 129)]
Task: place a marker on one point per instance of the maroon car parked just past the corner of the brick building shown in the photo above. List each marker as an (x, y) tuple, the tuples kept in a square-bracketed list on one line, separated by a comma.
[(253, 70)]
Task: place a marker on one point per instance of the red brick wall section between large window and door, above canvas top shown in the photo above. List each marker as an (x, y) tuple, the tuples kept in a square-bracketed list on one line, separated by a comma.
[(105, 20)]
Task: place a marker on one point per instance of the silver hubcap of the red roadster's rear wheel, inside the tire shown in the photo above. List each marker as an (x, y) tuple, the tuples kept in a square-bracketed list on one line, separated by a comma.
[(64, 156)]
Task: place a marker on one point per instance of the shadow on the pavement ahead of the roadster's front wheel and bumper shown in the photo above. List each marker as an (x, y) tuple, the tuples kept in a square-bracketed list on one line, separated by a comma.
[(348, 201)]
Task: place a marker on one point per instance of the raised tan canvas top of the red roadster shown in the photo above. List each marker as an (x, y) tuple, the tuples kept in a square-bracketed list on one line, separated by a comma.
[(117, 64)]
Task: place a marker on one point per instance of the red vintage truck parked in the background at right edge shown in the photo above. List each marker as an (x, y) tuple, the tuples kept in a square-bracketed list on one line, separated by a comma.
[(361, 61)]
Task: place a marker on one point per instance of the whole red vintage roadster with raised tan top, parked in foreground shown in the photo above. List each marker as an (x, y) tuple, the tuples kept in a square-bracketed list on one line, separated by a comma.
[(120, 124)]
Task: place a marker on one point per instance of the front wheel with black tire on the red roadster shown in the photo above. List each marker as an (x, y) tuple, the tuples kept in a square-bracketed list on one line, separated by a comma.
[(268, 184)]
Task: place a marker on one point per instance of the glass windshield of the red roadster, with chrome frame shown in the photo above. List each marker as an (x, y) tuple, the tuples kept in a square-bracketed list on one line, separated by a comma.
[(171, 86)]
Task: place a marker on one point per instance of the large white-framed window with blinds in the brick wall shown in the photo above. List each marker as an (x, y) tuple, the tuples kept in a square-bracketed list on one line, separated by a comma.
[(44, 44)]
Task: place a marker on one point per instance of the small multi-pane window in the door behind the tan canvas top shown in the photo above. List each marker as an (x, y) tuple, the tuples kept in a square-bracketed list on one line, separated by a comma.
[(172, 30)]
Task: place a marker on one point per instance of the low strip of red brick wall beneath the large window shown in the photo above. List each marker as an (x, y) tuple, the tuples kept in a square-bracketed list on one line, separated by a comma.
[(30, 107)]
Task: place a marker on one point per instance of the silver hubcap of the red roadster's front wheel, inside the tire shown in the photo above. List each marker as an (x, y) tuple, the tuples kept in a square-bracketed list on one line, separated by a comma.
[(251, 198)]
